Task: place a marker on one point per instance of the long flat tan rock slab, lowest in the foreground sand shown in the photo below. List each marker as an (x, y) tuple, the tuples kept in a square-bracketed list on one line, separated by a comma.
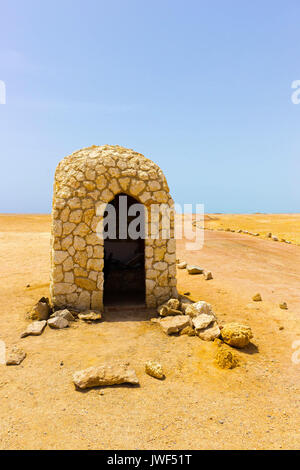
[(104, 375)]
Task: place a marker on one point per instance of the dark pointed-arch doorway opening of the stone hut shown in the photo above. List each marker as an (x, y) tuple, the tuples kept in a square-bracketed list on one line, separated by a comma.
[(124, 254)]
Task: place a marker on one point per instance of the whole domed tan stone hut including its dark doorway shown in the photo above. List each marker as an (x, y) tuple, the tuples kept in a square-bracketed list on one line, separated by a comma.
[(89, 270)]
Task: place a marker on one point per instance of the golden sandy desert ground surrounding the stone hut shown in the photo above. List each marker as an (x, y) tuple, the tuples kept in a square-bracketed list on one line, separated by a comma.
[(255, 406)]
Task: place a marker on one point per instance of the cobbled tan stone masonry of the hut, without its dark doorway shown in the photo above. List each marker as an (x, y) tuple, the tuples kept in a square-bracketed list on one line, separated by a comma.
[(92, 176)]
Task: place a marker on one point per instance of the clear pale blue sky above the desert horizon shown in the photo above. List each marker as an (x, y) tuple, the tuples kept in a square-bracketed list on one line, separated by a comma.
[(203, 88)]
